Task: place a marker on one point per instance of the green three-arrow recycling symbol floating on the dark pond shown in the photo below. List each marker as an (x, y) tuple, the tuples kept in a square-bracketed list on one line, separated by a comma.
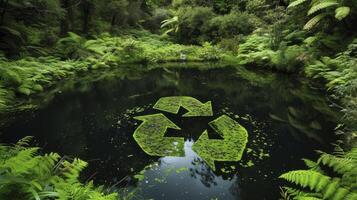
[(150, 134)]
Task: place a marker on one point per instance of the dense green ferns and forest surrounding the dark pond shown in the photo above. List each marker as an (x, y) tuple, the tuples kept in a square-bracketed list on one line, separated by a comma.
[(43, 42)]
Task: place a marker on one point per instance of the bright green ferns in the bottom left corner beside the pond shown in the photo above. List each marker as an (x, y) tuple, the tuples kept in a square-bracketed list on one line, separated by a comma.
[(27, 175)]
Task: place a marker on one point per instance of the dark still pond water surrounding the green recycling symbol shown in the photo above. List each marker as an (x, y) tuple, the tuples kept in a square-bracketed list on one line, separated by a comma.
[(93, 118)]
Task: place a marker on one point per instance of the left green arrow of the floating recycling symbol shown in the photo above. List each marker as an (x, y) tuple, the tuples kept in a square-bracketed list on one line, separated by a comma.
[(150, 136)]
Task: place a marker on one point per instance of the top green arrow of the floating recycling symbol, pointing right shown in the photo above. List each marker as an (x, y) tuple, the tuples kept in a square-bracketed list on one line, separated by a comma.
[(195, 107)]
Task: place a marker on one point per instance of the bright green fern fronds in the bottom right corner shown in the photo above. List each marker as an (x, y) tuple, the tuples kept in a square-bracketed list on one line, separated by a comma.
[(315, 183)]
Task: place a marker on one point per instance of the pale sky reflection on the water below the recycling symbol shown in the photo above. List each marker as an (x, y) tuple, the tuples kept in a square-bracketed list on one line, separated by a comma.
[(188, 175)]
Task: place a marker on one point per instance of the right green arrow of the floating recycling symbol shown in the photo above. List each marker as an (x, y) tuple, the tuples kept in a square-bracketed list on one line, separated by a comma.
[(231, 148)]
